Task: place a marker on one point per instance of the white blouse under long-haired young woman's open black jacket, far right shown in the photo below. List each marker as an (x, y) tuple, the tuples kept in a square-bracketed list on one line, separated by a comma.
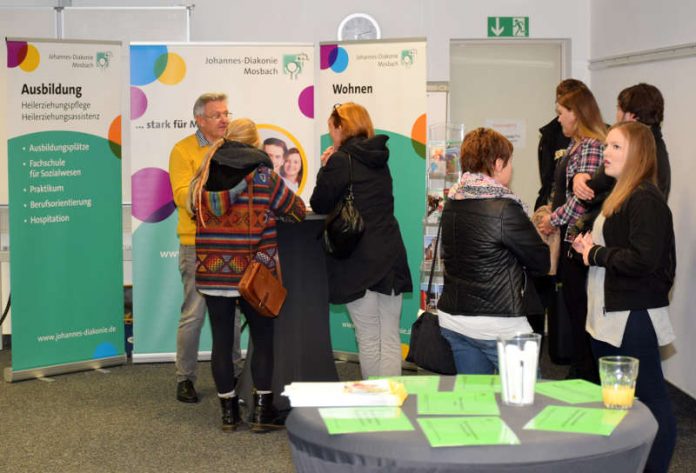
[(609, 327)]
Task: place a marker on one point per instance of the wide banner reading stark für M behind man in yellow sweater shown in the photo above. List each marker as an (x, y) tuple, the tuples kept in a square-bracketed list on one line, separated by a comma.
[(270, 83)]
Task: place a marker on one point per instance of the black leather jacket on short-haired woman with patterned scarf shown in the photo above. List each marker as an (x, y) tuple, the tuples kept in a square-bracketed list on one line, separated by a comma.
[(488, 246)]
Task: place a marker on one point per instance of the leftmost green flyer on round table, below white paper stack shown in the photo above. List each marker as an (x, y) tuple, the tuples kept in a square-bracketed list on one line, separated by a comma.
[(352, 420)]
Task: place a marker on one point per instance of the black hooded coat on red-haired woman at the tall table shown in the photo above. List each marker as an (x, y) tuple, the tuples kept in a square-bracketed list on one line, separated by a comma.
[(379, 262)]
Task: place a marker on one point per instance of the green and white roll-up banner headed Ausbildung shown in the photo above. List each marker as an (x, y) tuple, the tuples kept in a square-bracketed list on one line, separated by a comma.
[(64, 168)]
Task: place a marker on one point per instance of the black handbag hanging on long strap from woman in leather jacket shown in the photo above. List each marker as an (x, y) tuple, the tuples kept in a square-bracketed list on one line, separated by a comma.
[(428, 348)]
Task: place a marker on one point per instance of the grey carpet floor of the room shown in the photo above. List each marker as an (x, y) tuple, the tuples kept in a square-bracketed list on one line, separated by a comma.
[(126, 419)]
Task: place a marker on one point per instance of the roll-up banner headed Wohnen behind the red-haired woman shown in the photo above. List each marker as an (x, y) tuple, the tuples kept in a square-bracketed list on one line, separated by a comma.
[(389, 79)]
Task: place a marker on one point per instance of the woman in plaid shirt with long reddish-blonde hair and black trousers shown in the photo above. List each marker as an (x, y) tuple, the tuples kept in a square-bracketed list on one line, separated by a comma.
[(582, 122)]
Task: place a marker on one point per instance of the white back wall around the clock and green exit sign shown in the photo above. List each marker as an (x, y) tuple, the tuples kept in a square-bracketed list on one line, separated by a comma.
[(437, 20)]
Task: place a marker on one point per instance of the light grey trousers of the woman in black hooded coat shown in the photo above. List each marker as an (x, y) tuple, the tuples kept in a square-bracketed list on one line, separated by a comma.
[(376, 318)]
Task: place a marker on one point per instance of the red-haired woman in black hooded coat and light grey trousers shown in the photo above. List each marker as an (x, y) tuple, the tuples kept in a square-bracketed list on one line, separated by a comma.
[(373, 278)]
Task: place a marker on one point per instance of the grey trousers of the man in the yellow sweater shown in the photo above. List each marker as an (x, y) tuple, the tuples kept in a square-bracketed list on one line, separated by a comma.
[(193, 311)]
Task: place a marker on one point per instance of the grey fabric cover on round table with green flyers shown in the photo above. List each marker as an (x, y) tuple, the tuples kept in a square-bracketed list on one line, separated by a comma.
[(626, 450)]
